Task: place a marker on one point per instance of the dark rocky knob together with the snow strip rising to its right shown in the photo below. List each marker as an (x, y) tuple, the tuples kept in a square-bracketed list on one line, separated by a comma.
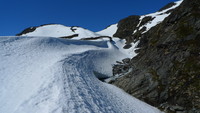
[(133, 27)]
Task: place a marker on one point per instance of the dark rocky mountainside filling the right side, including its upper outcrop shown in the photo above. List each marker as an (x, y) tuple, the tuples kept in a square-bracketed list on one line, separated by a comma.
[(166, 71)]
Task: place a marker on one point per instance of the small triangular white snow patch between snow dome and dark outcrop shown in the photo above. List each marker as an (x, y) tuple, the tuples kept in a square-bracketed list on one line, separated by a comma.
[(109, 31)]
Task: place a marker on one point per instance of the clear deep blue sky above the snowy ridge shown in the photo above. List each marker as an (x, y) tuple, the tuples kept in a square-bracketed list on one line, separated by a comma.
[(16, 15)]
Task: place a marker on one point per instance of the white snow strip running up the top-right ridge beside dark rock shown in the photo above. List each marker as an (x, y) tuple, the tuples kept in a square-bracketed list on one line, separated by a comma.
[(158, 17)]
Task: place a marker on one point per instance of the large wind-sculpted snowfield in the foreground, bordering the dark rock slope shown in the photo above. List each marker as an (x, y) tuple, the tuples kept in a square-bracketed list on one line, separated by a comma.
[(53, 75)]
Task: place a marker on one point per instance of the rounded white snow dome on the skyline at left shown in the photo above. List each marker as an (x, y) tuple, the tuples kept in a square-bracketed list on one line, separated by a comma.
[(57, 30)]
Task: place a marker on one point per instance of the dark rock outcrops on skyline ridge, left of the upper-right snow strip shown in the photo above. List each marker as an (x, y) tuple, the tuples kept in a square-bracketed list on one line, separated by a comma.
[(130, 27)]
